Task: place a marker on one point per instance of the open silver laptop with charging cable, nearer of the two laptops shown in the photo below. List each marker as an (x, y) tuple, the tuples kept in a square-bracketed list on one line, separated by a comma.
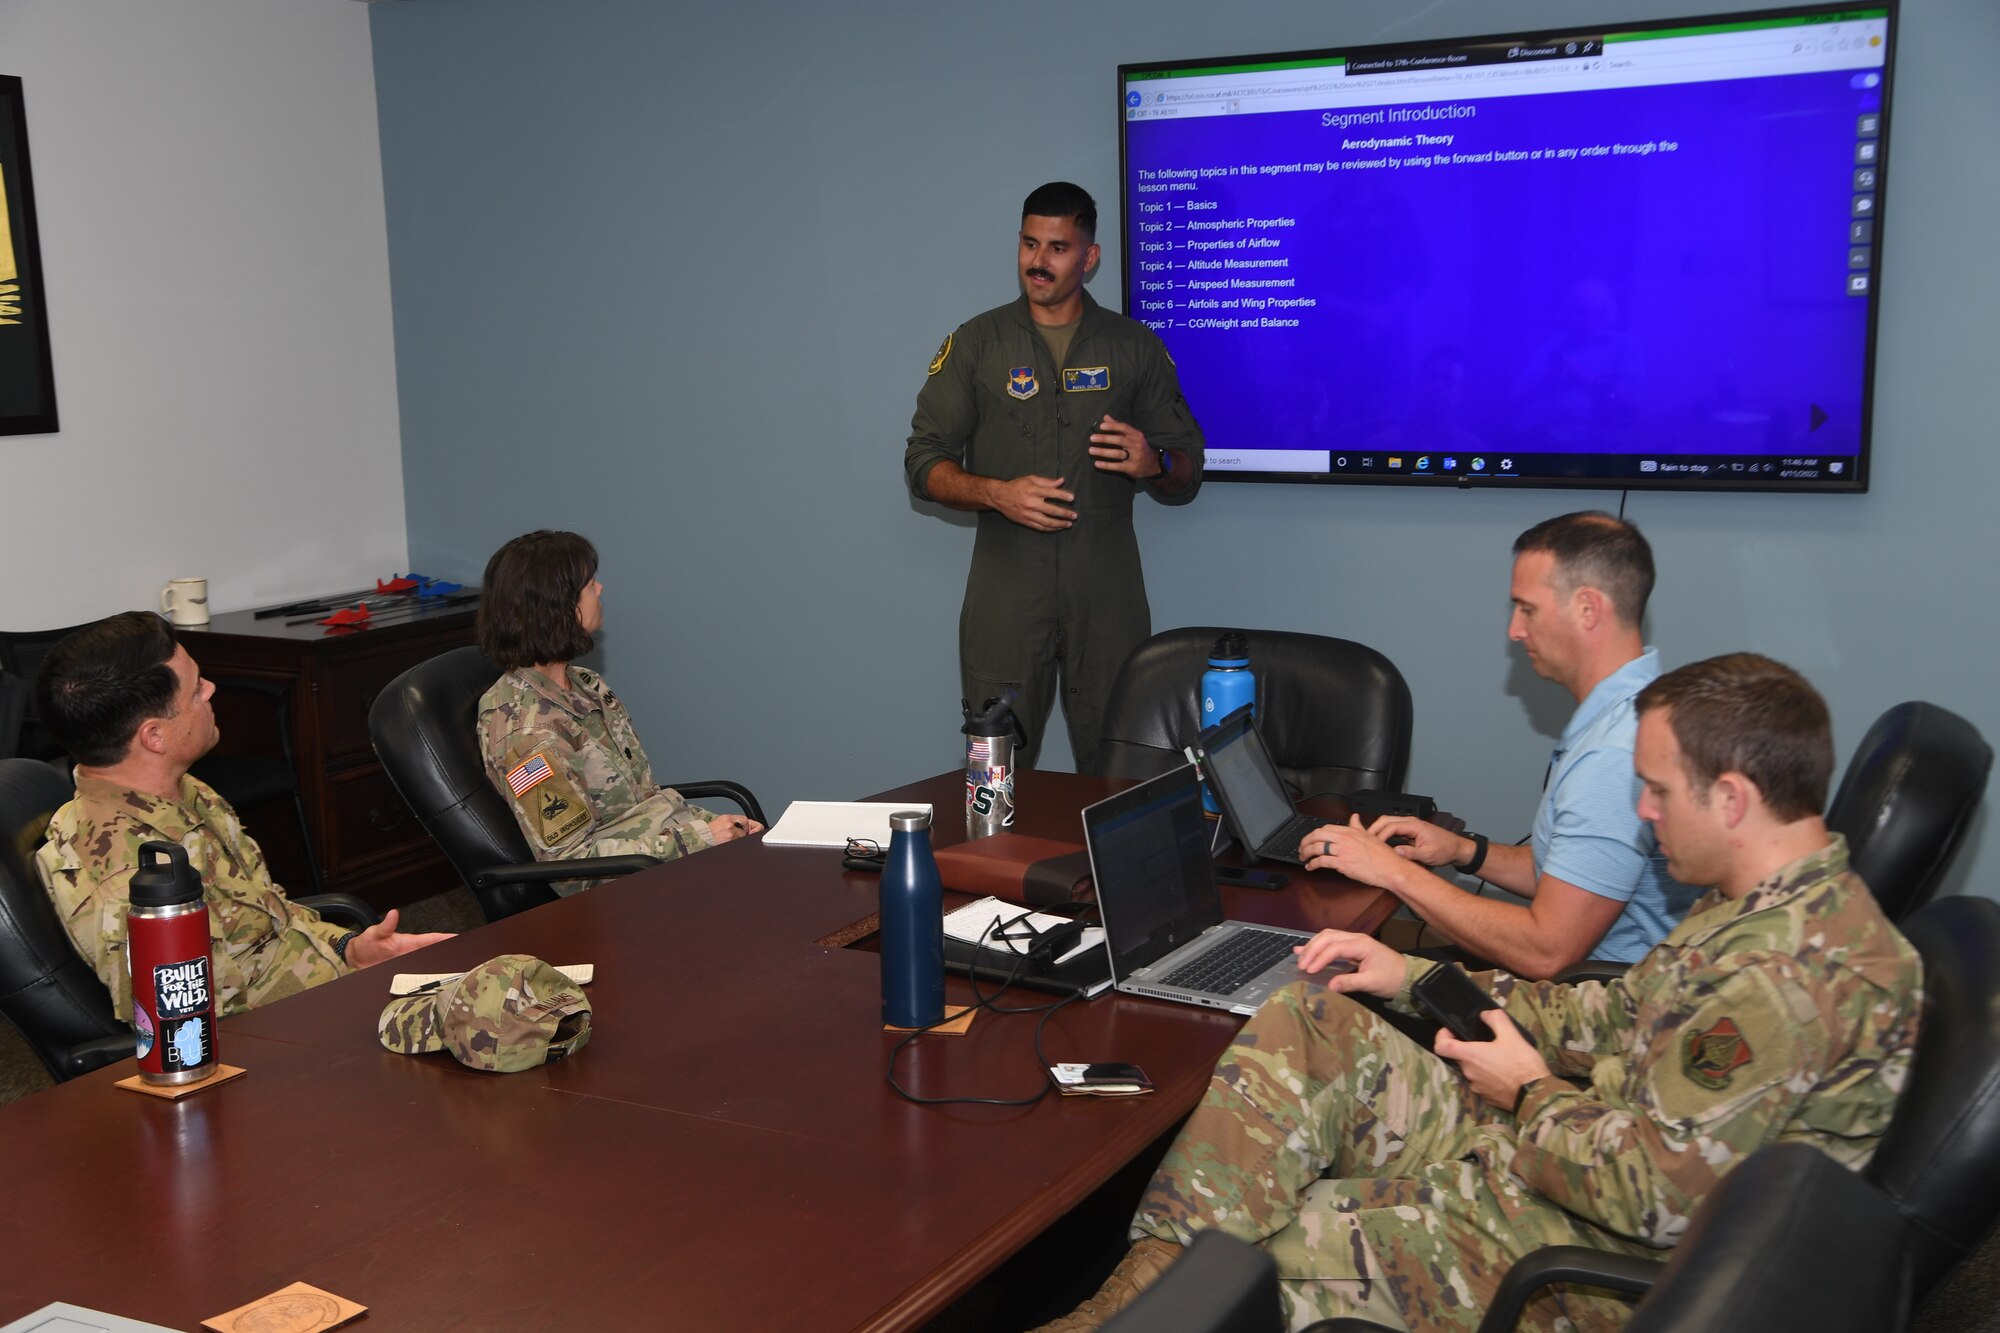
[(1163, 912)]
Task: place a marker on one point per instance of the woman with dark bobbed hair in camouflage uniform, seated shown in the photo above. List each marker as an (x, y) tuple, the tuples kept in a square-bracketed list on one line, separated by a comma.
[(559, 744)]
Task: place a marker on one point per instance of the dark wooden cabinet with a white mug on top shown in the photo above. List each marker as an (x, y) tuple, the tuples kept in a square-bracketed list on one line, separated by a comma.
[(365, 838)]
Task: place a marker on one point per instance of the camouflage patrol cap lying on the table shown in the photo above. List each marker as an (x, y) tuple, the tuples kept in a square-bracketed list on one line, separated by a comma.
[(503, 1016)]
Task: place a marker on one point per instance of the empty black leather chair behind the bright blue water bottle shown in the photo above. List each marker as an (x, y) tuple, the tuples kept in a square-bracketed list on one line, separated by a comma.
[(1335, 714)]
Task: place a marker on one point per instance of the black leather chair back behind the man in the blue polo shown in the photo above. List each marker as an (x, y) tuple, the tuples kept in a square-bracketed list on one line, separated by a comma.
[(1907, 800)]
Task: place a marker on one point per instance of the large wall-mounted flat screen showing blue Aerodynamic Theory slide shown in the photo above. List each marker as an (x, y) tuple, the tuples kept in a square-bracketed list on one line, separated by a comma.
[(1623, 257)]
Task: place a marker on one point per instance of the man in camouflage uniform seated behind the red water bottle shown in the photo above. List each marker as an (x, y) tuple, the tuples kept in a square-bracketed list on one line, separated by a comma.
[(135, 712)]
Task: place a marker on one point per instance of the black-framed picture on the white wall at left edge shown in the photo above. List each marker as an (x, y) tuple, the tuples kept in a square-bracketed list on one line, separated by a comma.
[(27, 371)]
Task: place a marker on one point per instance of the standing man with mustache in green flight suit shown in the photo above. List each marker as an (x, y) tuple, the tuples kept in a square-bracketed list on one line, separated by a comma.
[(1047, 417)]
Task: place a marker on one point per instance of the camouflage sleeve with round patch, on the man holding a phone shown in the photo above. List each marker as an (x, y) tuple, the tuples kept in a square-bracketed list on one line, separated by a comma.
[(1709, 1082)]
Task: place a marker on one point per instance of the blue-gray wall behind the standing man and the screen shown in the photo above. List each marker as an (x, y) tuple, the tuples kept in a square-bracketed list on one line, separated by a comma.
[(671, 275)]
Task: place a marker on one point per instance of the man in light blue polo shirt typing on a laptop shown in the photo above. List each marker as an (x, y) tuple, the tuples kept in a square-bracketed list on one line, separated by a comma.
[(1597, 884)]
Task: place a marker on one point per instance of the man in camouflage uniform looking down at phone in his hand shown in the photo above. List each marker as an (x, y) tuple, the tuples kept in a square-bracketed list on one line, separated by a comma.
[(1399, 1186)]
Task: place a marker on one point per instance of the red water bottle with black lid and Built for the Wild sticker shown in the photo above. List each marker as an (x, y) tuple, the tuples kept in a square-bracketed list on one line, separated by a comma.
[(173, 970)]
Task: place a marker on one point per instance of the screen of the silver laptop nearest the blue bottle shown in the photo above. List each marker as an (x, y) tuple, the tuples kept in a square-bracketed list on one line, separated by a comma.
[(1149, 858)]
